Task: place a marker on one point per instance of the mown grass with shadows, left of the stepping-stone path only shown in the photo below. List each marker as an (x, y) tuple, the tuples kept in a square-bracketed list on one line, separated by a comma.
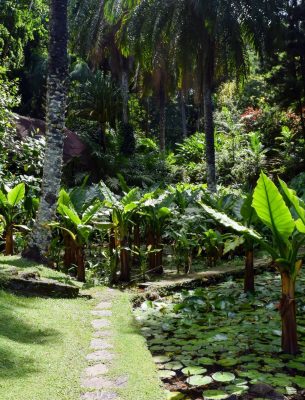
[(43, 344)]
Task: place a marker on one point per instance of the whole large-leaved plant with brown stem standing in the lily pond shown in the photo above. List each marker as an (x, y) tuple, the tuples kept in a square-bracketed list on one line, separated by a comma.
[(288, 235)]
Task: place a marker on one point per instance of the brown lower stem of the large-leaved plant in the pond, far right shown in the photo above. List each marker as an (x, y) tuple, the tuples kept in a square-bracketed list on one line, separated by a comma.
[(288, 314)]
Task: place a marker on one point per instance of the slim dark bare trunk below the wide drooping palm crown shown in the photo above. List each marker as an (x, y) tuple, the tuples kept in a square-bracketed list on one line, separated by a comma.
[(209, 140)]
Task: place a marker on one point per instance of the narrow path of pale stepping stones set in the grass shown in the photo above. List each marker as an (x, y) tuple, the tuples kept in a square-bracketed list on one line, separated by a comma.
[(96, 384)]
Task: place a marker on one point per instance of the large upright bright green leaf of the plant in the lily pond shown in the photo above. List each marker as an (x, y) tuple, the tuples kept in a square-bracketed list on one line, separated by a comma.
[(272, 209)]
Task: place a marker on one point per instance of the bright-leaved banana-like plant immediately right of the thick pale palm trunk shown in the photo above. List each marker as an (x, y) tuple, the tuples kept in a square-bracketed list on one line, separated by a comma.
[(77, 228)]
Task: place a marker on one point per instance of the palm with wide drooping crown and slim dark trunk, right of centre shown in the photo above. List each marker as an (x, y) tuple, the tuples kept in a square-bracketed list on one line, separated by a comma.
[(207, 39)]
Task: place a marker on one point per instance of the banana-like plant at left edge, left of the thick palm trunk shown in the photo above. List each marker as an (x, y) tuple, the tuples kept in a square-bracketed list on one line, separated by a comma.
[(10, 211)]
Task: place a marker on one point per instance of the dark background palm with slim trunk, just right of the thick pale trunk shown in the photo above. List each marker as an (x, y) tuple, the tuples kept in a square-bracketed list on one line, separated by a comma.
[(93, 36)]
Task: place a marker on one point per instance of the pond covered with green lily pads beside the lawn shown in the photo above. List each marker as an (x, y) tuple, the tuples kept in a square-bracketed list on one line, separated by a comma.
[(215, 342)]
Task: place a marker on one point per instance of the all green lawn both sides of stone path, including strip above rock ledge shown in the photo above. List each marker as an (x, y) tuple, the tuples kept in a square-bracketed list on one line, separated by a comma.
[(44, 342)]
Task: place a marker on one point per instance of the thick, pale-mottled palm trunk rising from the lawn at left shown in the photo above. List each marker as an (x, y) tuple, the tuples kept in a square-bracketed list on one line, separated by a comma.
[(56, 105)]
